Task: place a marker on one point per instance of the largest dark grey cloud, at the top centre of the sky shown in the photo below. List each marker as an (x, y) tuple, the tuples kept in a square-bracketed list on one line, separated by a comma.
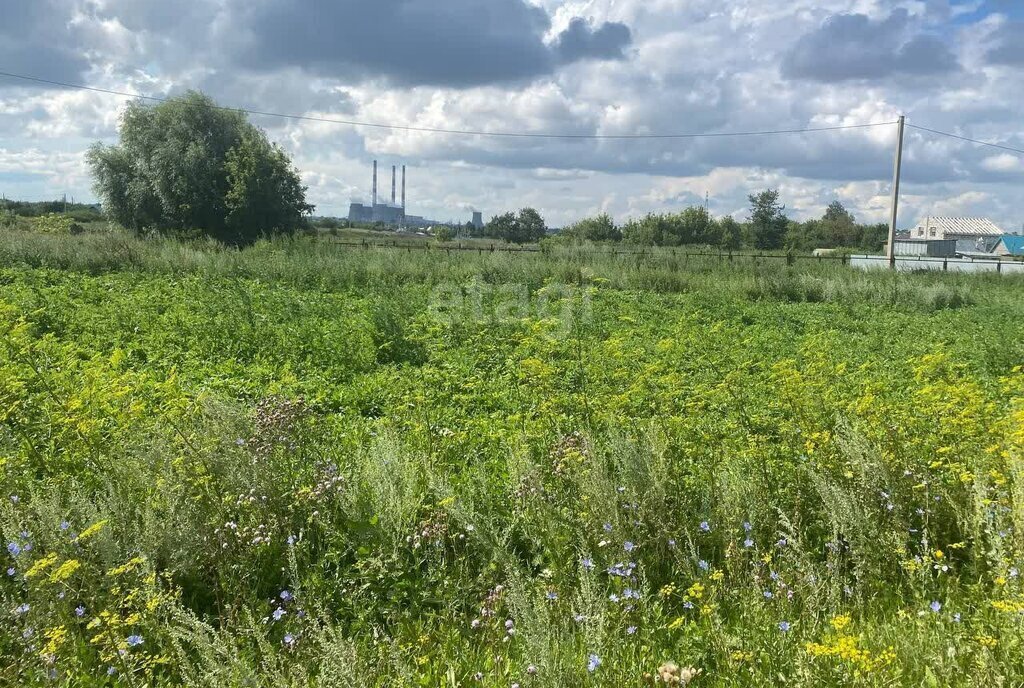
[(457, 44)]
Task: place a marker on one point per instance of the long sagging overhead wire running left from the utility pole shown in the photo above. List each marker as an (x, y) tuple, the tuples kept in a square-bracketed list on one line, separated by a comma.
[(461, 133)]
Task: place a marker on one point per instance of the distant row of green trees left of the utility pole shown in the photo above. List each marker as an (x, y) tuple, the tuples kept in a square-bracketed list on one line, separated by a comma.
[(766, 229)]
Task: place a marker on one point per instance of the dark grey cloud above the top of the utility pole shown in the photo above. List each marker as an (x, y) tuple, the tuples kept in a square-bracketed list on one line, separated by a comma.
[(852, 47)]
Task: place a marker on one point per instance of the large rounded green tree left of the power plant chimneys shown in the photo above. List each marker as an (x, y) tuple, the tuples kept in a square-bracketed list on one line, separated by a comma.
[(189, 165)]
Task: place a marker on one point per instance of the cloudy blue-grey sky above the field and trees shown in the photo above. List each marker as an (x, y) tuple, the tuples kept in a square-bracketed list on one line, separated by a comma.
[(567, 67)]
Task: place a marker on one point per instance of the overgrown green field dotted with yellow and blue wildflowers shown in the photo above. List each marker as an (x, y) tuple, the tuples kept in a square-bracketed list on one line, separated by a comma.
[(306, 465)]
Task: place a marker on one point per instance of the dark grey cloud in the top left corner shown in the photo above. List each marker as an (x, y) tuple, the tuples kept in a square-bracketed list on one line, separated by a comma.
[(36, 40)]
